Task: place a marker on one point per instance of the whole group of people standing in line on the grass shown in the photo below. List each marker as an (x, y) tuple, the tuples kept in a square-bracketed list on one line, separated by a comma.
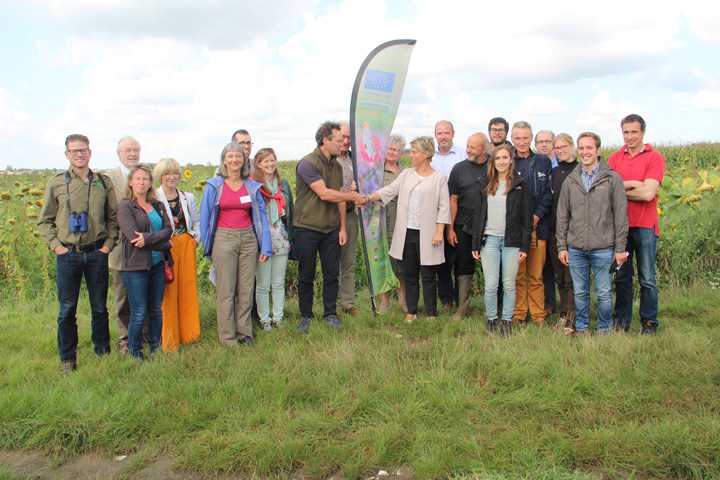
[(497, 201)]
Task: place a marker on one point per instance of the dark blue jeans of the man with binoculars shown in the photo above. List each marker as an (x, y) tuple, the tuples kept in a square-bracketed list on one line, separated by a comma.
[(71, 267)]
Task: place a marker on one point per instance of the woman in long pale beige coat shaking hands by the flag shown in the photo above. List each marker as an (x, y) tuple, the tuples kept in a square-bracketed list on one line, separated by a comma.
[(423, 210)]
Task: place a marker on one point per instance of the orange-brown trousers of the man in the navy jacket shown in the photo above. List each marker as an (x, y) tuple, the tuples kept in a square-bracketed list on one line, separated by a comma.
[(529, 287)]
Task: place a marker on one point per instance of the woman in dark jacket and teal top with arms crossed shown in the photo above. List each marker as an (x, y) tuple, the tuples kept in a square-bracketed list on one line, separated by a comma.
[(146, 232)]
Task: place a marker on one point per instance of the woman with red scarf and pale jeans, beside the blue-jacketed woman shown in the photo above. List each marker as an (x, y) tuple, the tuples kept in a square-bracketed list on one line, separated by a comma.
[(270, 275)]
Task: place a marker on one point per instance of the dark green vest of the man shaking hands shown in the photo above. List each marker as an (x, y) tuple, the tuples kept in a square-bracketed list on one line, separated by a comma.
[(310, 211)]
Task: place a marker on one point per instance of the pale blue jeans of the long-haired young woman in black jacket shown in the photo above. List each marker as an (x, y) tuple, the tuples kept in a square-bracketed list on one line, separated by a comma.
[(493, 252)]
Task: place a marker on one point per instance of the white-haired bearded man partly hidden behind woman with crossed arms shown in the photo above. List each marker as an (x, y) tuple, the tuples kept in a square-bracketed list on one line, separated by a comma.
[(128, 151)]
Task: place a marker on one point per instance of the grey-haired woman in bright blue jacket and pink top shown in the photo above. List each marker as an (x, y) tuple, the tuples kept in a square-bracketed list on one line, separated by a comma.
[(235, 235)]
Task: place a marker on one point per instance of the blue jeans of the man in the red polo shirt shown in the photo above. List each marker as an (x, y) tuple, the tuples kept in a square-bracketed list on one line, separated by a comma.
[(641, 244)]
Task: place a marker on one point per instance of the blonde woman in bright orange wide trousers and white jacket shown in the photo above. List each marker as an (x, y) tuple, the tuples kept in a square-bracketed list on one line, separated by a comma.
[(181, 316)]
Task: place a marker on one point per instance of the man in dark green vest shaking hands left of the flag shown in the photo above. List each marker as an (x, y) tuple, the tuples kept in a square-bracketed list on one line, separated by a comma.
[(319, 222)]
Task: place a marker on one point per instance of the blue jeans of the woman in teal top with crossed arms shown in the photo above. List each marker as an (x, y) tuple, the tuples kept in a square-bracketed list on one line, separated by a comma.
[(146, 289)]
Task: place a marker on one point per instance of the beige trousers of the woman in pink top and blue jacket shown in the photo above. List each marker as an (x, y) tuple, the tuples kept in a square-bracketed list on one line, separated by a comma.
[(234, 254)]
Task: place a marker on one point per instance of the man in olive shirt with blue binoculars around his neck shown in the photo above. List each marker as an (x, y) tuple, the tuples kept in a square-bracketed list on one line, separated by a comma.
[(78, 222)]
